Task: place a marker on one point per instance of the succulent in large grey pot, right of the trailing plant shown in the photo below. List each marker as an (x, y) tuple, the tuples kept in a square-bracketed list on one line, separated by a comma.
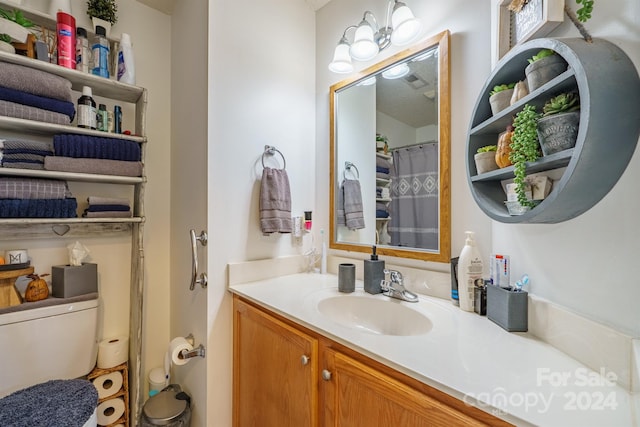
[(558, 126)]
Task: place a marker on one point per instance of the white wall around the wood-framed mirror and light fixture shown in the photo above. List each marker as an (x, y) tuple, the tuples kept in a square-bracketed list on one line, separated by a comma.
[(469, 24)]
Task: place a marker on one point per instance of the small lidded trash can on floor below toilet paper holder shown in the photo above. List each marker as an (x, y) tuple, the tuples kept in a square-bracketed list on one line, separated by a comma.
[(171, 408)]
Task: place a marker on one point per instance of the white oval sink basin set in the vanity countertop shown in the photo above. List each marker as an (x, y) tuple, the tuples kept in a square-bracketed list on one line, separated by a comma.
[(375, 316)]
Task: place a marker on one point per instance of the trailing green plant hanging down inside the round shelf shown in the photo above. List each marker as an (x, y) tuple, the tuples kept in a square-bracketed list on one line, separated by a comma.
[(524, 148)]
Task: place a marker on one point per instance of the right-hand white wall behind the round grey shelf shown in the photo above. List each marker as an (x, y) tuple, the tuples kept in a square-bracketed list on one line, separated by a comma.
[(588, 263)]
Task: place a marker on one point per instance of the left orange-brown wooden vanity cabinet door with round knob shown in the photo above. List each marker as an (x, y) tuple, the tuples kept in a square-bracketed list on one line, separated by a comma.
[(274, 374)]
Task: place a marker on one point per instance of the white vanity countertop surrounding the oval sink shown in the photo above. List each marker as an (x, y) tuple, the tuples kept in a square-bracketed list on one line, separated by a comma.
[(511, 375)]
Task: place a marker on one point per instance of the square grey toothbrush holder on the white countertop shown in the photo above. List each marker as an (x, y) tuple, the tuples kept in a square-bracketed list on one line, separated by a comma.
[(507, 308)]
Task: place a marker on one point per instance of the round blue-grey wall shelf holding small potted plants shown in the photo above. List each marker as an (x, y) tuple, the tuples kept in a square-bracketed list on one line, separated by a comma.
[(608, 85)]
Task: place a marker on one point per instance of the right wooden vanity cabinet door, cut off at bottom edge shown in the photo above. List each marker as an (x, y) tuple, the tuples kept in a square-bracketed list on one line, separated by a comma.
[(356, 395)]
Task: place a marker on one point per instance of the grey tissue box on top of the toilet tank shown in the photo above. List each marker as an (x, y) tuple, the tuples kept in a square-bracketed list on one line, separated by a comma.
[(72, 280)]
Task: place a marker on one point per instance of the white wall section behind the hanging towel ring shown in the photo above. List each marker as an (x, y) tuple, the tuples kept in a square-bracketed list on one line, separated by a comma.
[(261, 91)]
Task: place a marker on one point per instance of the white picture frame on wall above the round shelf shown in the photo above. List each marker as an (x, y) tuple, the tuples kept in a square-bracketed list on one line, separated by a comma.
[(536, 19)]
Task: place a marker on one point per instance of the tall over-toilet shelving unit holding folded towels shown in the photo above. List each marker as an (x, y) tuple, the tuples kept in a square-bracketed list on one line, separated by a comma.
[(51, 228)]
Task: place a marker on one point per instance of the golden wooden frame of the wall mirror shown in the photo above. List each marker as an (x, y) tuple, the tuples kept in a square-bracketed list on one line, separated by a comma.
[(441, 41)]
